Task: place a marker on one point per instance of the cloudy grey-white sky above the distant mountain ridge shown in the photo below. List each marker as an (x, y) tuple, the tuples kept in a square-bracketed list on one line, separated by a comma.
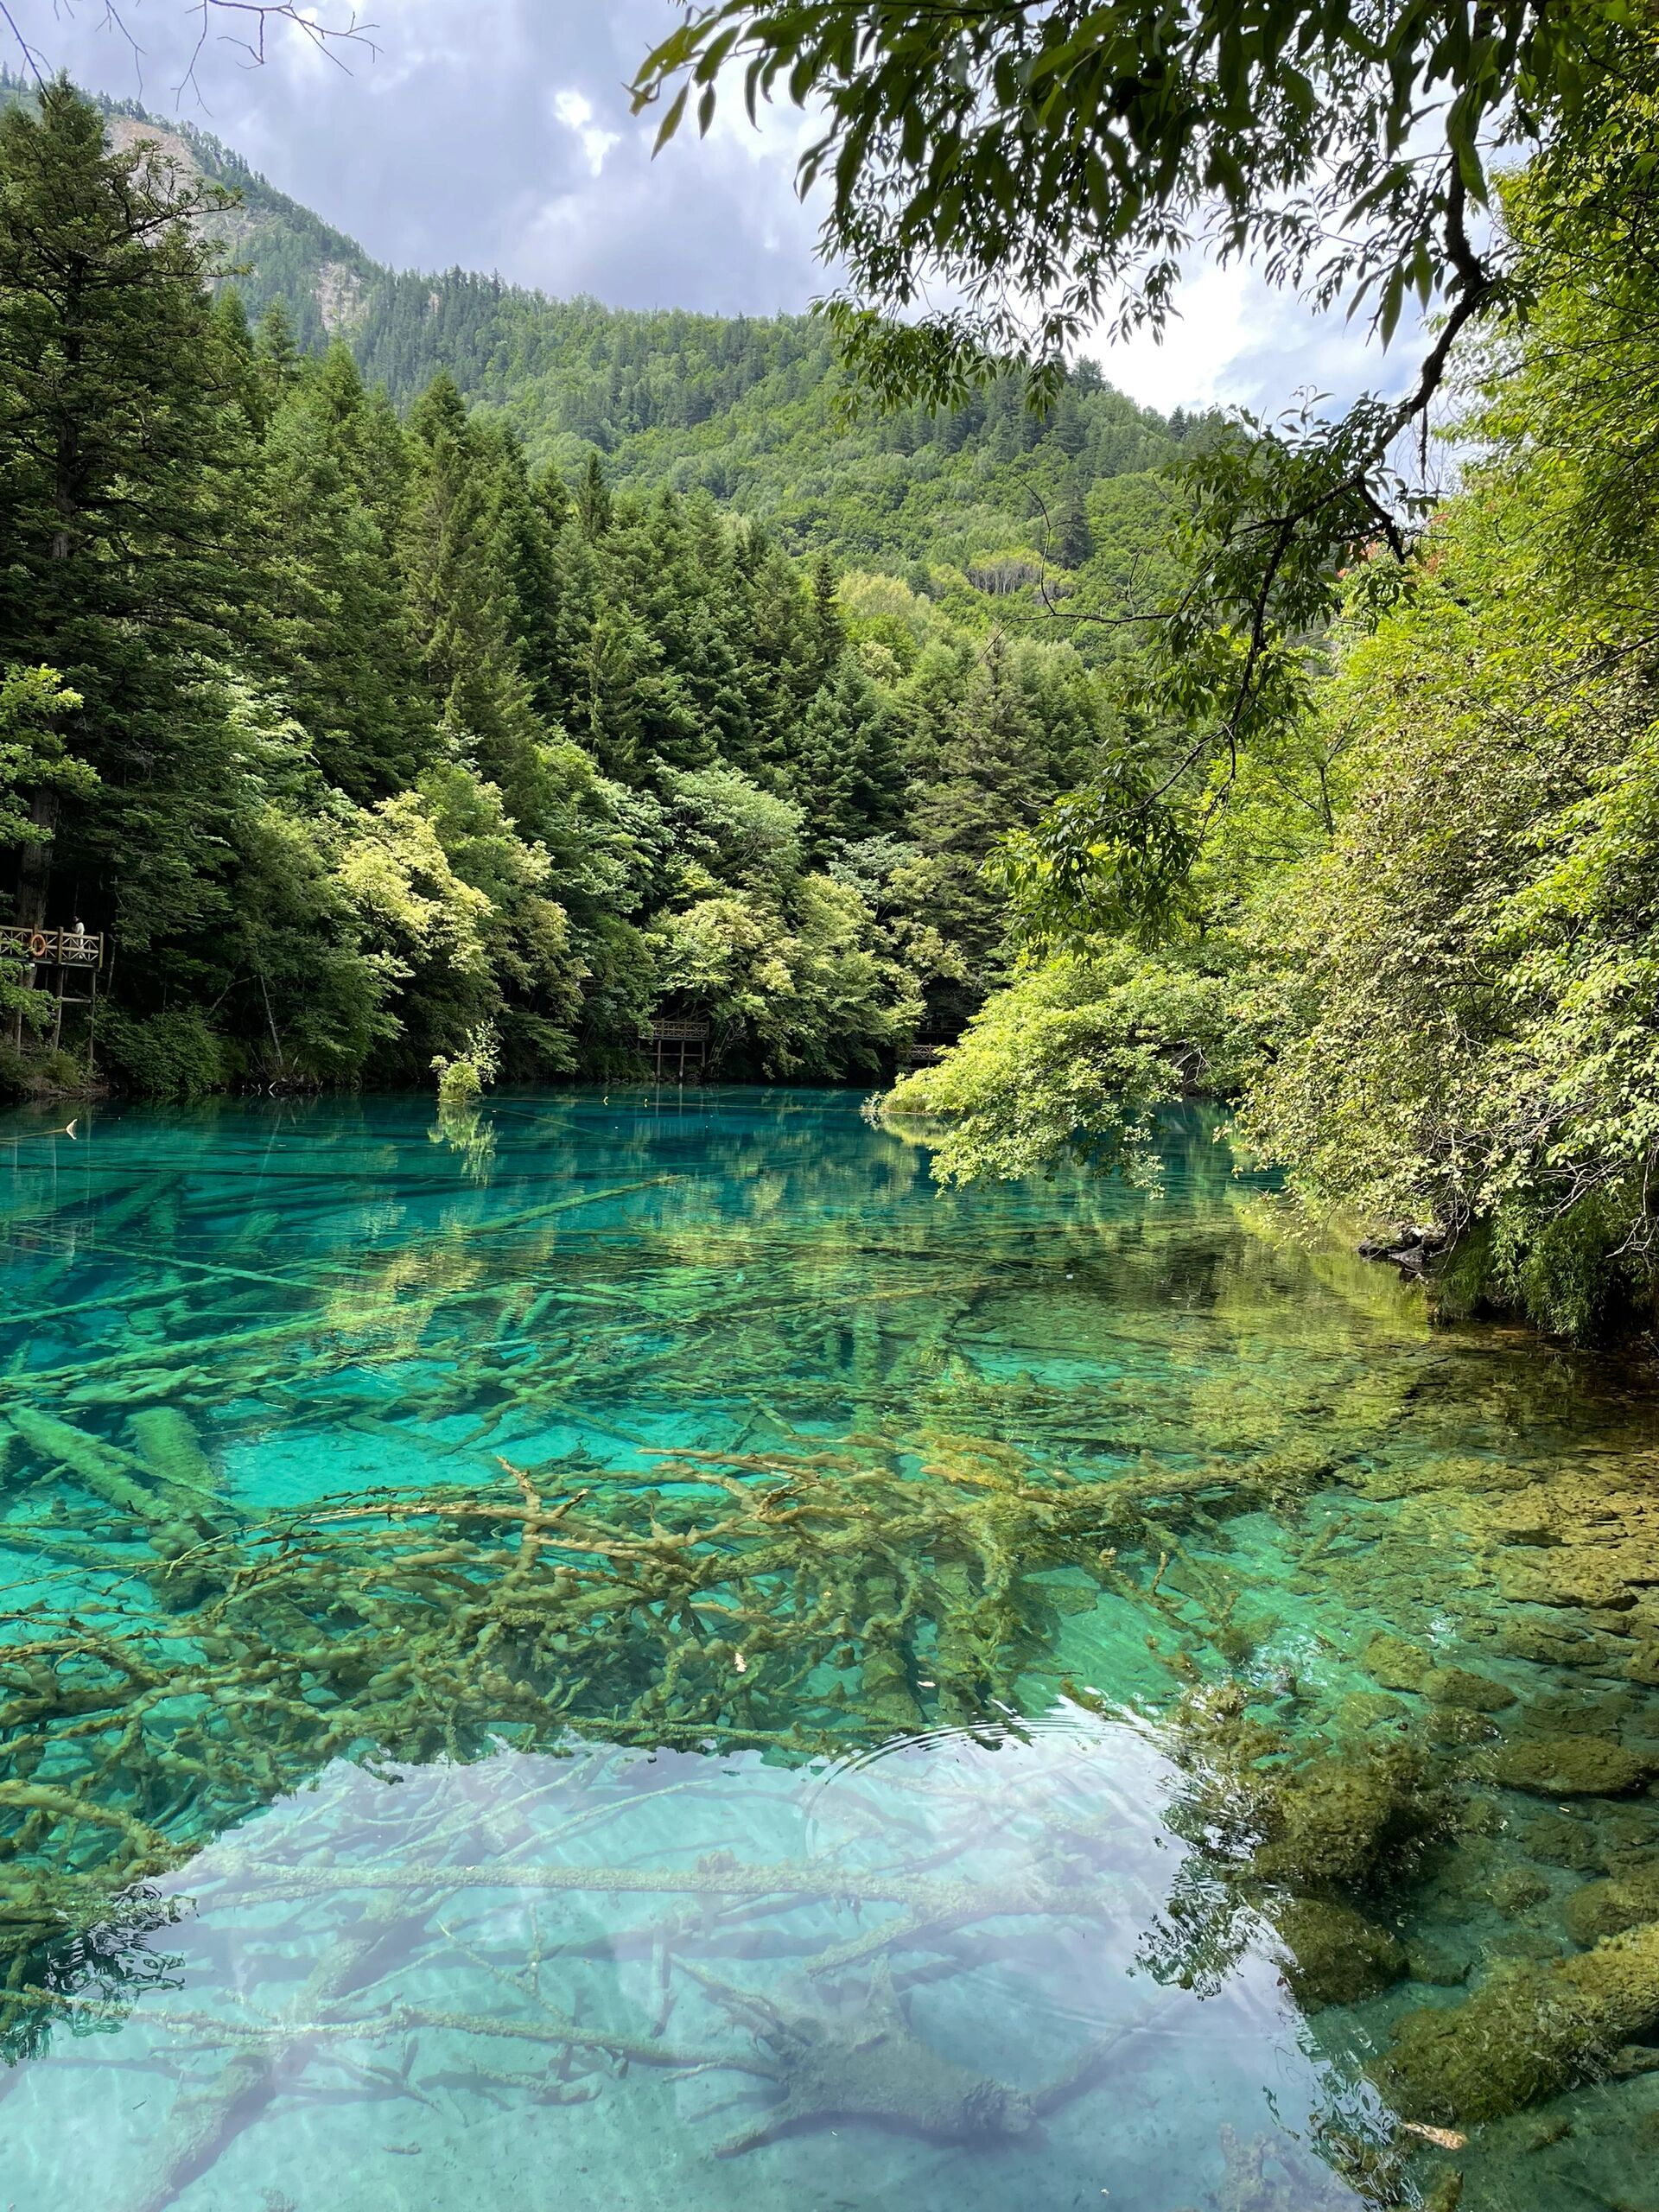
[(497, 136)]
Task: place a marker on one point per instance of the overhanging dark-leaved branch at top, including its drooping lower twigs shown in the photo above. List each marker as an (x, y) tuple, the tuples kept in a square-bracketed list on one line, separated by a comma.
[(1058, 167)]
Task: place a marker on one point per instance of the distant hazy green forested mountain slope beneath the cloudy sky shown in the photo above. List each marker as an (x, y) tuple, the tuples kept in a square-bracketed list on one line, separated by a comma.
[(742, 408)]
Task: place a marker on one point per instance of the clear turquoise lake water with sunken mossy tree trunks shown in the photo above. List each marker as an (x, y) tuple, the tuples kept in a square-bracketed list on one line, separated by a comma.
[(629, 1651)]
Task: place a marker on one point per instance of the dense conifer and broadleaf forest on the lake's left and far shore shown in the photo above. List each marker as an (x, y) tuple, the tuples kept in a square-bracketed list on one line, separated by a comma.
[(371, 742)]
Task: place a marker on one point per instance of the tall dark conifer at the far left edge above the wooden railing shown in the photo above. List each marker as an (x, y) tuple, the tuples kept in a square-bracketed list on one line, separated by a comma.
[(125, 550)]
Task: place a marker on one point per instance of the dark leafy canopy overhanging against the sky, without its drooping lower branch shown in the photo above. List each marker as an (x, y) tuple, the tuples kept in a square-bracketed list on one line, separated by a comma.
[(1067, 154)]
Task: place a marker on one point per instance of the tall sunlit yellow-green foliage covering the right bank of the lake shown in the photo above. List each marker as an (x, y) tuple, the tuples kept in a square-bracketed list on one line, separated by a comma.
[(1483, 1043)]
